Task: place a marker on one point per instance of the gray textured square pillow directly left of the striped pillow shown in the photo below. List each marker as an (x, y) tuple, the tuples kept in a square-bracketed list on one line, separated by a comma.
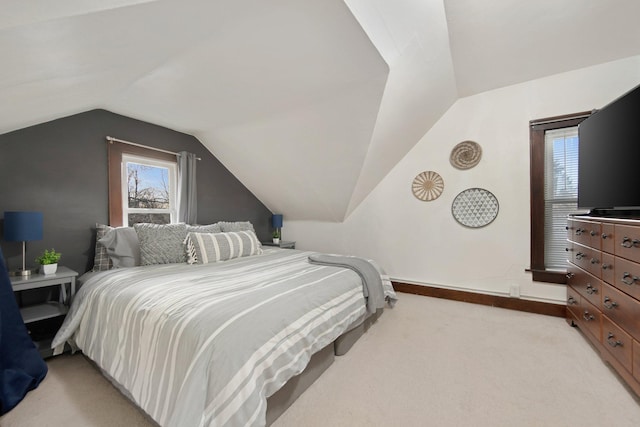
[(161, 243)]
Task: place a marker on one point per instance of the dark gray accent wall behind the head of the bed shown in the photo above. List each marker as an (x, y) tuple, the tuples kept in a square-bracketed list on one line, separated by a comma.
[(60, 169)]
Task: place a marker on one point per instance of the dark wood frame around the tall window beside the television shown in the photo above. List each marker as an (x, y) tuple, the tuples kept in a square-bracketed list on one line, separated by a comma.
[(537, 129)]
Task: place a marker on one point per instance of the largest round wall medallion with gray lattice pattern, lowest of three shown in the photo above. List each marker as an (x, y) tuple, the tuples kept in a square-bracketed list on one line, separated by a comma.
[(475, 207)]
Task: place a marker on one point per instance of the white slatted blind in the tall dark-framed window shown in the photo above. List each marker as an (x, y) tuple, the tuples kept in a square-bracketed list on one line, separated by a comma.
[(560, 192)]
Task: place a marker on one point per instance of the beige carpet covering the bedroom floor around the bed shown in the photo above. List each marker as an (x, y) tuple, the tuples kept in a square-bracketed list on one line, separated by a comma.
[(428, 362)]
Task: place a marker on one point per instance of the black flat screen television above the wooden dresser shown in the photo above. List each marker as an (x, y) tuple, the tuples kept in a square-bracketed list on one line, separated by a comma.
[(609, 158)]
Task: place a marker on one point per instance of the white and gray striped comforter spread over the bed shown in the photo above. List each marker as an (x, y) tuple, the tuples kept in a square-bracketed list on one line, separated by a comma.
[(205, 345)]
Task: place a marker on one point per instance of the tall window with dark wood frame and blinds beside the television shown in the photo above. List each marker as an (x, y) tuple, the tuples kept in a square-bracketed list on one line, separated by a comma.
[(554, 188)]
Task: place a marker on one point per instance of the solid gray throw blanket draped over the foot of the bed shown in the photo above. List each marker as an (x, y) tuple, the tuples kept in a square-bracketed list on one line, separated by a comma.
[(371, 280)]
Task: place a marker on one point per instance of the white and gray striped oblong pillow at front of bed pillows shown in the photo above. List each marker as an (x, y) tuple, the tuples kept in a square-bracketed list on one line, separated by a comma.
[(203, 248)]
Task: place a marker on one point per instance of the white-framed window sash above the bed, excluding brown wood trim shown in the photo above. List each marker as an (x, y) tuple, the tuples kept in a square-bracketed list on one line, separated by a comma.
[(148, 190)]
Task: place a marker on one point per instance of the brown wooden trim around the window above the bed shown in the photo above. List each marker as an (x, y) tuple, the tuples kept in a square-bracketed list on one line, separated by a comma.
[(116, 150)]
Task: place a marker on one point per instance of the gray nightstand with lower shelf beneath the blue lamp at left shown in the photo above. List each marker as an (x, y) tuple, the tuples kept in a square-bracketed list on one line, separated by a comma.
[(65, 279)]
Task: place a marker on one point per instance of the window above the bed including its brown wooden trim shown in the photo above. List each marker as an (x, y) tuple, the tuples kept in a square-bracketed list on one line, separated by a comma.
[(142, 185)]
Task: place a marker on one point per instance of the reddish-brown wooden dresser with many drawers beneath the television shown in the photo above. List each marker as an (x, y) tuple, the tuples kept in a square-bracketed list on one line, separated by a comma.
[(603, 292)]
